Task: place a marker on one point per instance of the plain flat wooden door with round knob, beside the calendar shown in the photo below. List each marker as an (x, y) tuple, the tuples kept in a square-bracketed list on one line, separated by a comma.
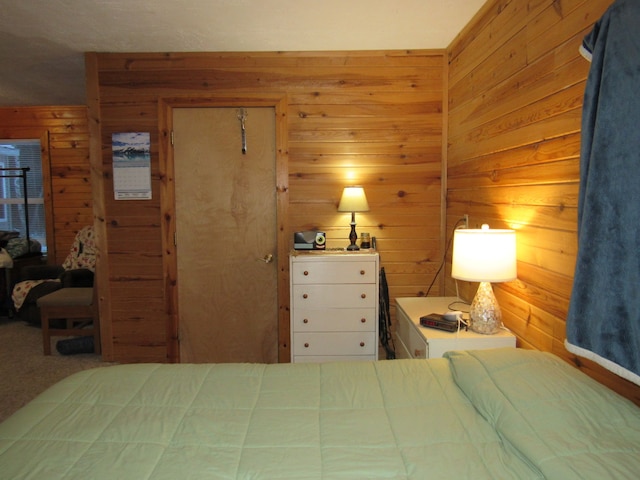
[(225, 204)]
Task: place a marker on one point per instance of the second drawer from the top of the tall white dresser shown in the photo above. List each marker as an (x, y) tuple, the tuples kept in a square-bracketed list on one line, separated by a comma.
[(334, 296)]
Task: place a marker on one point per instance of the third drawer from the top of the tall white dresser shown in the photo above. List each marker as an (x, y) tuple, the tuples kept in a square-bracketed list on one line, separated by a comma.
[(334, 320)]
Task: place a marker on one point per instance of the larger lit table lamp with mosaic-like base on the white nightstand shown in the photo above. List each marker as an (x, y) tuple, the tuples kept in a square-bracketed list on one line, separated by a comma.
[(484, 255)]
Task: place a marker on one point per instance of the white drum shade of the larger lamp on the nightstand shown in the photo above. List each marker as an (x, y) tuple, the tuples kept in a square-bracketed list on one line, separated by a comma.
[(484, 255)]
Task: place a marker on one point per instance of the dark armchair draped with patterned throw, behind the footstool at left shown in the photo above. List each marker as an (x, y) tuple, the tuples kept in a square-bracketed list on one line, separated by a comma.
[(36, 281)]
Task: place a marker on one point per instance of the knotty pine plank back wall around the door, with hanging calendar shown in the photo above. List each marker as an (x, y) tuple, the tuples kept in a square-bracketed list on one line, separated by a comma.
[(371, 118)]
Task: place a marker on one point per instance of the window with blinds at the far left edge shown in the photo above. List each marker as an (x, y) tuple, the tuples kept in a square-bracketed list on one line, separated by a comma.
[(14, 156)]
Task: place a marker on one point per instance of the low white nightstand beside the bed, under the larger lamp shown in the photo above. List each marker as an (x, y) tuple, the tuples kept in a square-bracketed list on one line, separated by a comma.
[(416, 341)]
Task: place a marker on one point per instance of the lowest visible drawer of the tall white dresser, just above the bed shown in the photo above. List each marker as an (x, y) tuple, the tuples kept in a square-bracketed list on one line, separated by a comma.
[(339, 343)]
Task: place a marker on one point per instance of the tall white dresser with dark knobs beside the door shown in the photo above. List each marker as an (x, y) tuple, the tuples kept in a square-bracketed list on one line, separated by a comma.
[(334, 305)]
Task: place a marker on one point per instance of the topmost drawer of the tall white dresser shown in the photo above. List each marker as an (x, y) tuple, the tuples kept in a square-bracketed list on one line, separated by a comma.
[(334, 272)]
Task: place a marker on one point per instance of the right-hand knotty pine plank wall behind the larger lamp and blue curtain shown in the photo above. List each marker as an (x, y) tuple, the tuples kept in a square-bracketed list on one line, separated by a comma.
[(516, 82)]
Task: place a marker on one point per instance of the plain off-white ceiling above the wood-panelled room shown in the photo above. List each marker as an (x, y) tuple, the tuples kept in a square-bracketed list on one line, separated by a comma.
[(42, 41)]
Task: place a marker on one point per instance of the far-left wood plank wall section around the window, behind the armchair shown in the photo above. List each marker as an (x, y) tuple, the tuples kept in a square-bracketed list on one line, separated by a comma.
[(65, 137)]
